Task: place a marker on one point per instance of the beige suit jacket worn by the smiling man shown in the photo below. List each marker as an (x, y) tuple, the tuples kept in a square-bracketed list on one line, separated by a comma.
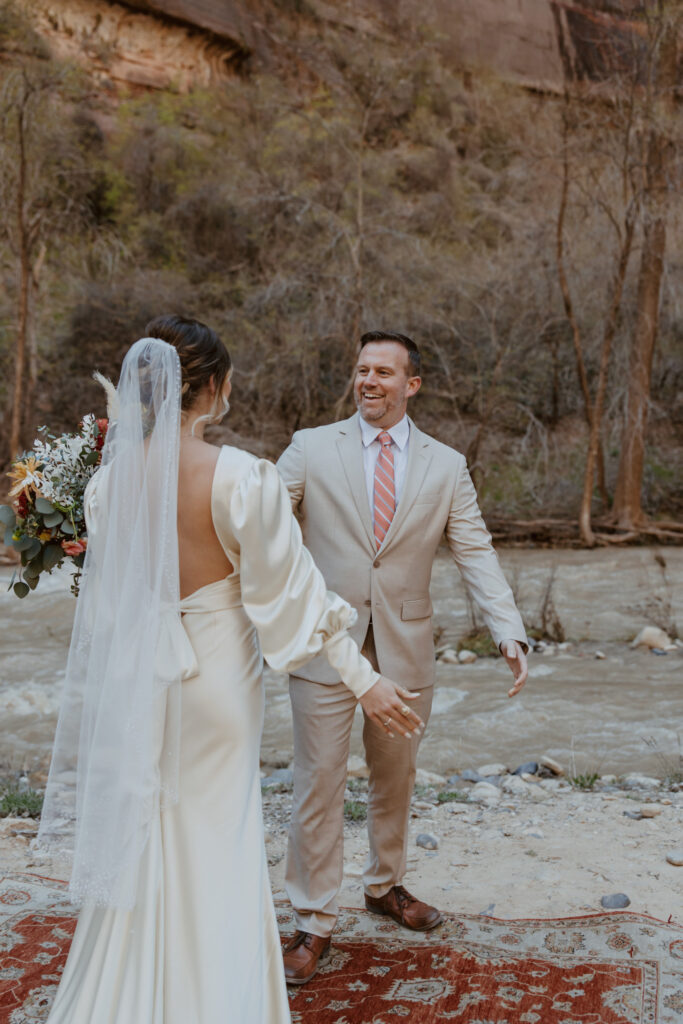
[(324, 473)]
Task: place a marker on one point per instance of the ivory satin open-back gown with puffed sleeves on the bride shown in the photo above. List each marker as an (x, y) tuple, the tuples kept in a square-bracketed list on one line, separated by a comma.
[(201, 946)]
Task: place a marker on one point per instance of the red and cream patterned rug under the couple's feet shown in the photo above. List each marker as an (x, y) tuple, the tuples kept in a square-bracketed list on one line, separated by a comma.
[(605, 969)]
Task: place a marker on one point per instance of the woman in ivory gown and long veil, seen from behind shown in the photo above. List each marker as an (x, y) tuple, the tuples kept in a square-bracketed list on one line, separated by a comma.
[(195, 567)]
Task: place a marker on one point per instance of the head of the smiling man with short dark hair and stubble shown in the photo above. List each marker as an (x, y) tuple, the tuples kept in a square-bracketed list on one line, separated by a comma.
[(383, 383)]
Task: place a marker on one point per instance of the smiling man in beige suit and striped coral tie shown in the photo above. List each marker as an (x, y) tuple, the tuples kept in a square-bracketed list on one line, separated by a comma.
[(376, 496)]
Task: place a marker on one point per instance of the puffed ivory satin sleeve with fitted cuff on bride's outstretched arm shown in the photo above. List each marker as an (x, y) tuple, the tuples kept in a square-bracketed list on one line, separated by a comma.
[(284, 592)]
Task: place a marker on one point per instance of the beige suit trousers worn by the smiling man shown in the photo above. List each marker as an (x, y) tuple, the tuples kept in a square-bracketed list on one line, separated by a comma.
[(323, 719)]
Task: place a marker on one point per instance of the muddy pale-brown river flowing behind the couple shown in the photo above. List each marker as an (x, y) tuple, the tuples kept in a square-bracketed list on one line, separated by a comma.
[(622, 713)]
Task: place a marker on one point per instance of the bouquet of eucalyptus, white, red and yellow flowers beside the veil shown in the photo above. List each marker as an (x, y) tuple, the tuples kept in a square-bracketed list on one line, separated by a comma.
[(47, 523)]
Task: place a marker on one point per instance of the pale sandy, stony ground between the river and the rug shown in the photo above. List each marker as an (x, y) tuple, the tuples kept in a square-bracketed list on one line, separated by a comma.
[(551, 854)]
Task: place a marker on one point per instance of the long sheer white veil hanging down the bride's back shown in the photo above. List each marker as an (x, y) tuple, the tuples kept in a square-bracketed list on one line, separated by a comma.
[(122, 692)]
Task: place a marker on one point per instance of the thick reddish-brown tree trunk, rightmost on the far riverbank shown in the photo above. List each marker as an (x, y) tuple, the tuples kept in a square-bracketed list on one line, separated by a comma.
[(628, 495)]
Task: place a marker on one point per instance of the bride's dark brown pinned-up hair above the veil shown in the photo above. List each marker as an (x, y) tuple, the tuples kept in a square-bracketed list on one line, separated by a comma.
[(202, 354)]
